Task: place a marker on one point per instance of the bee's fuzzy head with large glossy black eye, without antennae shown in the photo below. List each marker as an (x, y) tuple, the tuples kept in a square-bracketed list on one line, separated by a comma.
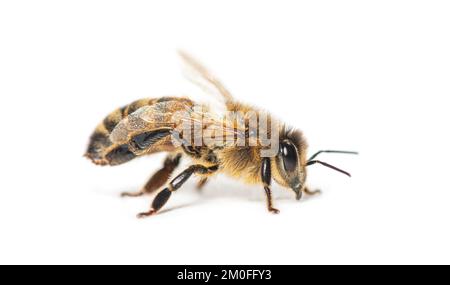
[(290, 162)]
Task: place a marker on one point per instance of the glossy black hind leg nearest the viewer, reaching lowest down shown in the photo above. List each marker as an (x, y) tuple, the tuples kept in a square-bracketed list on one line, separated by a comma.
[(163, 196)]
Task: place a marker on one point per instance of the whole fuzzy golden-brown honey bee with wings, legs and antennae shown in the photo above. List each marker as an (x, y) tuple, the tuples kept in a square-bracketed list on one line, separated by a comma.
[(239, 146)]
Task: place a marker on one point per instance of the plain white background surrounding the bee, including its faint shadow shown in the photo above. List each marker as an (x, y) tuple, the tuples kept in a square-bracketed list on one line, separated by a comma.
[(371, 76)]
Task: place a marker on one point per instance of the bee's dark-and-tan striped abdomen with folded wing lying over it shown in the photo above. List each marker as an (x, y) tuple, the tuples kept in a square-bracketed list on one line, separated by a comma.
[(141, 127)]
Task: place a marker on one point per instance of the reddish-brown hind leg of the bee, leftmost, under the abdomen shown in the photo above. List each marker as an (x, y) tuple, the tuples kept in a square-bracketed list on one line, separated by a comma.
[(158, 179)]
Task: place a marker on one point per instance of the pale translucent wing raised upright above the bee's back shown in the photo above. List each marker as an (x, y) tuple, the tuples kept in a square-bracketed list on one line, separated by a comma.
[(200, 76)]
